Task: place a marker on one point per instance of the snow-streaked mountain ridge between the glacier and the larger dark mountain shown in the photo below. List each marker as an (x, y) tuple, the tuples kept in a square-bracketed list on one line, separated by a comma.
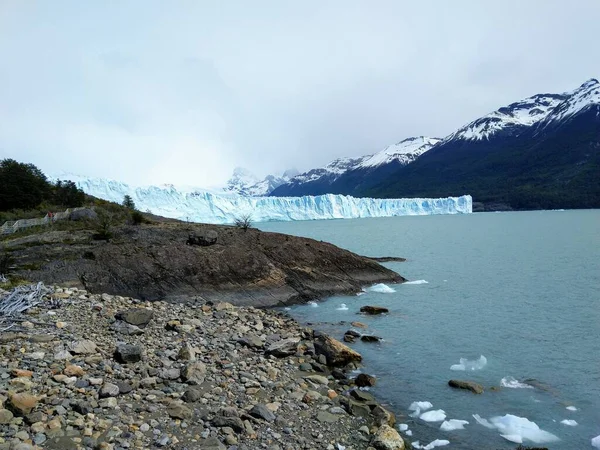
[(321, 180)]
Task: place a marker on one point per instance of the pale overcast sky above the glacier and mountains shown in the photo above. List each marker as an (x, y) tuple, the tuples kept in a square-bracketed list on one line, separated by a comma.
[(151, 92)]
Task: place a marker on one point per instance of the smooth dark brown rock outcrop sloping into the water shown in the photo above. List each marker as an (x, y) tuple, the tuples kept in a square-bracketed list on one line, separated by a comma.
[(153, 262)]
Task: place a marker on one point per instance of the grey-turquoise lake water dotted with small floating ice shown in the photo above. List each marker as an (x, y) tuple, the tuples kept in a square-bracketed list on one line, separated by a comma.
[(522, 289)]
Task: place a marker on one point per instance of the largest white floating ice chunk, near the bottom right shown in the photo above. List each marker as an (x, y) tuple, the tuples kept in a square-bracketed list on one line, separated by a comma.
[(517, 429)]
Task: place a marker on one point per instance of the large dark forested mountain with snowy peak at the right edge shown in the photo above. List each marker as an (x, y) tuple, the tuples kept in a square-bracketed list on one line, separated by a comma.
[(527, 157)]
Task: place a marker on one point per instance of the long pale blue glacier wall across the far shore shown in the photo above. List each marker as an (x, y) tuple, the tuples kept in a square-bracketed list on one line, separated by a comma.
[(208, 207)]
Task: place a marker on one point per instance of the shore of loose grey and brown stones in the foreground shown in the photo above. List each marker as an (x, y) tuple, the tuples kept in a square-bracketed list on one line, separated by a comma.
[(89, 371)]
